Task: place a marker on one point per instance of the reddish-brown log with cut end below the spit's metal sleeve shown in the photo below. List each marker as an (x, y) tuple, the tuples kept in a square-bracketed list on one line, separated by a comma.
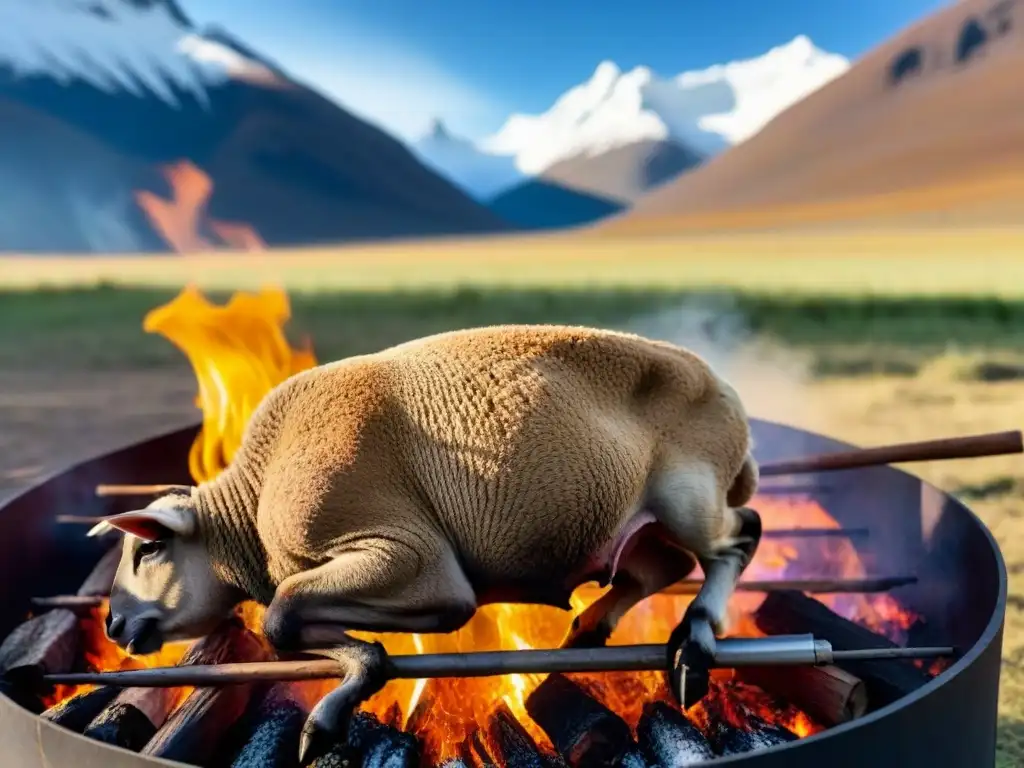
[(829, 695)]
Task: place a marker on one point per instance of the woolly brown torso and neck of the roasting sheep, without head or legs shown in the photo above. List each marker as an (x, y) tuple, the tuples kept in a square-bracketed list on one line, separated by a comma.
[(516, 451)]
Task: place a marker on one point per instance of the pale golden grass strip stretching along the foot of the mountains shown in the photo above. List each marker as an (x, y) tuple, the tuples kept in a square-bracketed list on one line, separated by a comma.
[(905, 263)]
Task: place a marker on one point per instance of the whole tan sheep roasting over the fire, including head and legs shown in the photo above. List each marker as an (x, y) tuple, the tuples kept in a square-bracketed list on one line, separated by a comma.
[(400, 491)]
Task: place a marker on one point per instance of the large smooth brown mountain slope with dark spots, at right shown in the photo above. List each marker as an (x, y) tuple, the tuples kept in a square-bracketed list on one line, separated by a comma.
[(932, 120)]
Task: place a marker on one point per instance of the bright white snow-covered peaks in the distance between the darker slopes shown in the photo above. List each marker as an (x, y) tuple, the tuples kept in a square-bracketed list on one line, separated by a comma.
[(704, 111)]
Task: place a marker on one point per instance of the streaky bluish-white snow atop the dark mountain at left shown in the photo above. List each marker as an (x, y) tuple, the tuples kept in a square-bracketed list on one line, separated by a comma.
[(141, 48)]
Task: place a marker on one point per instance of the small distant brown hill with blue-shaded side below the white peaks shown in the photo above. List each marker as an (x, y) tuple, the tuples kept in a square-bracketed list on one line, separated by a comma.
[(625, 174)]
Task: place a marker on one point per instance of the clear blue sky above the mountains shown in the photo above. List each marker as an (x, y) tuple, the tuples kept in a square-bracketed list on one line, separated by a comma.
[(401, 63)]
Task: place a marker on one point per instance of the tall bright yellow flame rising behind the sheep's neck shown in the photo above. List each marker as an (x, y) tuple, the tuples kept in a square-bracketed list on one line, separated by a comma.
[(239, 354)]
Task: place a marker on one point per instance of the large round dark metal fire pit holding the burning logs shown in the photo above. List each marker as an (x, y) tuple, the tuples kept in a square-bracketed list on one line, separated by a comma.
[(962, 592)]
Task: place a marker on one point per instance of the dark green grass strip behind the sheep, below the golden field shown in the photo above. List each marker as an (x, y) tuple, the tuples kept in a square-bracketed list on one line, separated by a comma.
[(102, 327)]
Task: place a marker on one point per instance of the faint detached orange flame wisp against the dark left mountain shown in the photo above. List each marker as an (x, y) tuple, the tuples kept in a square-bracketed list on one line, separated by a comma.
[(182, 220)]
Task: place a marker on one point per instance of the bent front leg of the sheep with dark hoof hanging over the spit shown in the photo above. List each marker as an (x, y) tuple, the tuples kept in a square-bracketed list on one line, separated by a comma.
[(383, 586)]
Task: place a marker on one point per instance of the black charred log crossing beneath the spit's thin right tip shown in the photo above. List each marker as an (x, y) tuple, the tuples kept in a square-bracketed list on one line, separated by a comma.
[(885, 681)]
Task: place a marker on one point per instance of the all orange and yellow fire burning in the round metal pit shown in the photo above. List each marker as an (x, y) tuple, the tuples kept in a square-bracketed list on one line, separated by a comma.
[(240, 352)]
